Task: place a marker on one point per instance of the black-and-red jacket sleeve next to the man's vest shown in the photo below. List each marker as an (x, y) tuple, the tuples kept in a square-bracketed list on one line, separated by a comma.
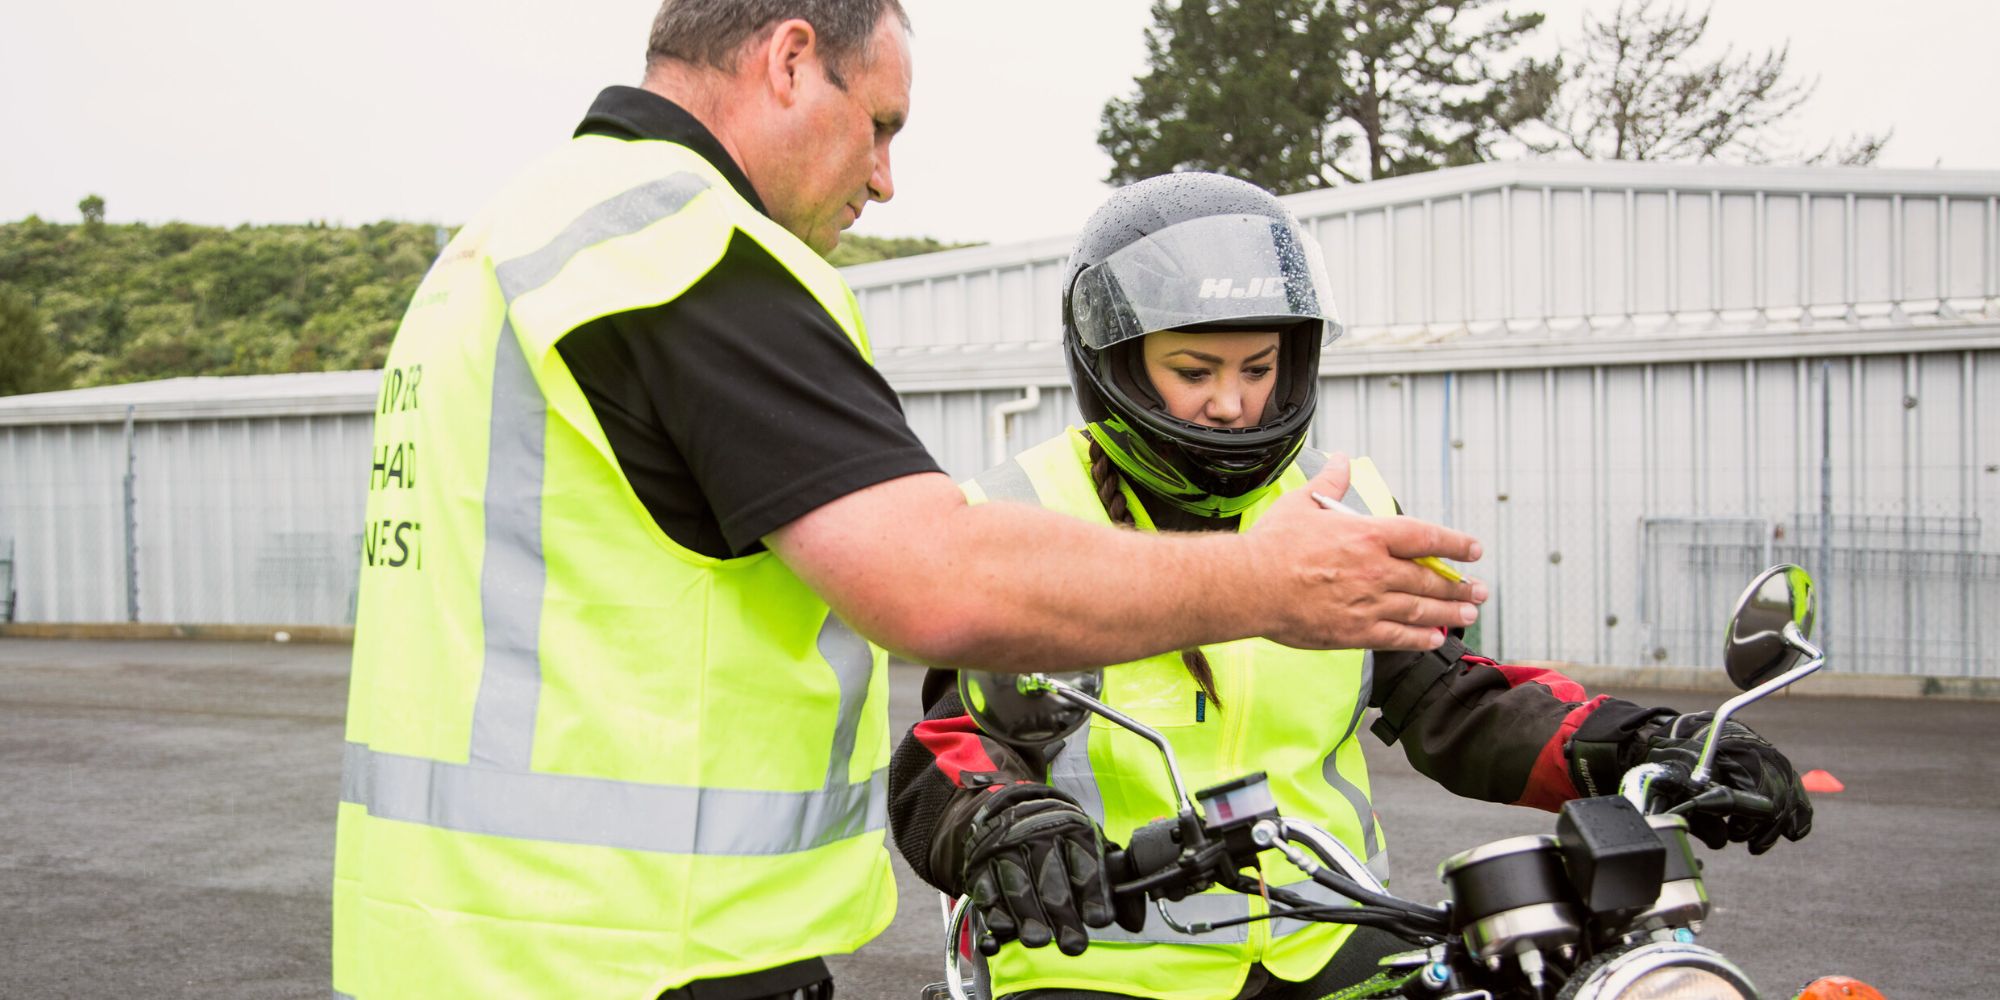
[(937, 779)]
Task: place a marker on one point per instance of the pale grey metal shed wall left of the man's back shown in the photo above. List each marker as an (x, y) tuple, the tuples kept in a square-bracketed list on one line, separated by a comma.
[(235, 521)]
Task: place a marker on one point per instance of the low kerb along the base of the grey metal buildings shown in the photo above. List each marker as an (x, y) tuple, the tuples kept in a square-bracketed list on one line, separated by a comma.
[(1823, 685)]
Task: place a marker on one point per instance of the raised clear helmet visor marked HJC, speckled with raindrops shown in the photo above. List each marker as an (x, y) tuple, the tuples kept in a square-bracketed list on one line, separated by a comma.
[(1235, 271)]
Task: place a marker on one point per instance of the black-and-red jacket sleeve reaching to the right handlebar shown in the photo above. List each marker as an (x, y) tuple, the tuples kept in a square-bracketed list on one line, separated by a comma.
[(1493, 731)]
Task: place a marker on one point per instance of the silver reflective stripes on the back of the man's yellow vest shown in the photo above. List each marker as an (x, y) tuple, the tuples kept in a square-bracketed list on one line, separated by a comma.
[(497, 793)]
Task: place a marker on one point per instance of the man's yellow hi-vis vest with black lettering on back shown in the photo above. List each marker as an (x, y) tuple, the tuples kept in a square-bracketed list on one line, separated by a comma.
[(583, 761)]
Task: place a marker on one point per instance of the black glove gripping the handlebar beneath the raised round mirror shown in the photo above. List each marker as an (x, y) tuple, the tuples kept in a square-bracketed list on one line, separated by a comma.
[(1745, 763)]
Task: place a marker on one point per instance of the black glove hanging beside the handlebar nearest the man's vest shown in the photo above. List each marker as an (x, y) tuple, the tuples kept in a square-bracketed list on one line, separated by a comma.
[(1035, 869)]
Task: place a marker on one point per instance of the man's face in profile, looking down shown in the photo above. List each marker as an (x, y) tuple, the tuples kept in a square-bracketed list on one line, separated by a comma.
[(841, 153)]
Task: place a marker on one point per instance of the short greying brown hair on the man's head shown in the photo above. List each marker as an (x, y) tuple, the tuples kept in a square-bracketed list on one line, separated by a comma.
[(713, 33)]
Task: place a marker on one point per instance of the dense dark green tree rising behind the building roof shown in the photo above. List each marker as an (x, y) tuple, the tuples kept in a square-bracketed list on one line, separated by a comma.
[(1295, 95)]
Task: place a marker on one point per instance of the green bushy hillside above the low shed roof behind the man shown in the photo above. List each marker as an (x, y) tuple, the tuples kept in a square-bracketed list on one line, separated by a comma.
[(133, 303)]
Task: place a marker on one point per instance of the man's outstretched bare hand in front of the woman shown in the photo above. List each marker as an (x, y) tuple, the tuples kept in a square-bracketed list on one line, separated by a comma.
[(1349, 581)]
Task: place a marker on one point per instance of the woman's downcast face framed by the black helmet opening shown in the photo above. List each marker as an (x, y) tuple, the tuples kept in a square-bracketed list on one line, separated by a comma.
[(1219, 381)]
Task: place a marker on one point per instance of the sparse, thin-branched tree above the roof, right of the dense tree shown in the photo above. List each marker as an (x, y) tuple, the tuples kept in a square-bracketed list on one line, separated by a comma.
[(1641, 89)]
